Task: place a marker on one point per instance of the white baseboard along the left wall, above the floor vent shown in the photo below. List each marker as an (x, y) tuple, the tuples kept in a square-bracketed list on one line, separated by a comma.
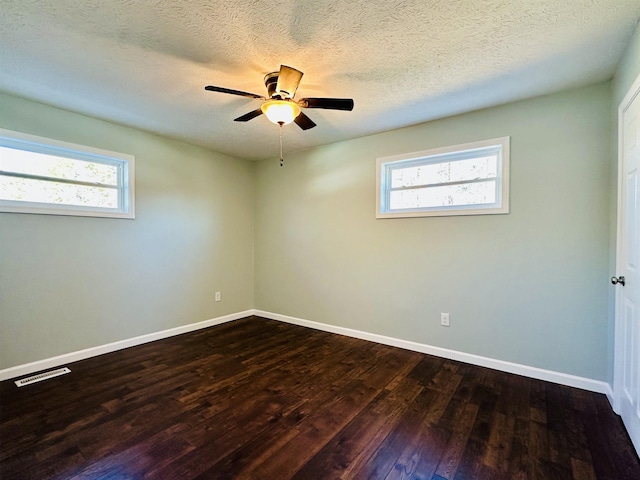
[(29, 368)]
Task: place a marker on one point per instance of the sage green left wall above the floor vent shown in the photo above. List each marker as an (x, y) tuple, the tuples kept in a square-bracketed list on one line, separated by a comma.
[(69, 283)]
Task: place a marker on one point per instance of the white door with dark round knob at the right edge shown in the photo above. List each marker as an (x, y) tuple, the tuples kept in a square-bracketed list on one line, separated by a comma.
[(627, 341)]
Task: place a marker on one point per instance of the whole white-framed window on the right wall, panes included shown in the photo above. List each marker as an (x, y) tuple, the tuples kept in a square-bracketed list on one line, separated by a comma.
[(469, 179)]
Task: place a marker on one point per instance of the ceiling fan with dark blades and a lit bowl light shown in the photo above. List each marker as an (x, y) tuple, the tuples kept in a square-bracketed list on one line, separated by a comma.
[(279, 106)]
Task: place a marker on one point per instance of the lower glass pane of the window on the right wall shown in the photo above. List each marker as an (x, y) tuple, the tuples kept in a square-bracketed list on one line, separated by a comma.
[(444, 196)]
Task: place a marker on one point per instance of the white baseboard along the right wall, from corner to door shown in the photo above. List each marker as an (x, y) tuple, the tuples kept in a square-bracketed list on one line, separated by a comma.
[(504, 366)]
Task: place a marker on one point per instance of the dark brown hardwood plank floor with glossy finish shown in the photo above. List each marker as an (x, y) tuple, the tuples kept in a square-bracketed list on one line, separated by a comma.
[(259, 399)]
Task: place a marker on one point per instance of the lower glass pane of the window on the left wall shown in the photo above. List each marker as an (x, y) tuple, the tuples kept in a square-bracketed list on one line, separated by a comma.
[(29, 190)]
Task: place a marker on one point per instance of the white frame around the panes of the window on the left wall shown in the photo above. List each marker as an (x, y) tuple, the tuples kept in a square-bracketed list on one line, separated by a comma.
[(33, 143)]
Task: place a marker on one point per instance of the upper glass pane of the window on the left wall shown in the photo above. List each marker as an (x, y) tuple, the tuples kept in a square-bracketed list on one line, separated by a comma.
[(41, 164)]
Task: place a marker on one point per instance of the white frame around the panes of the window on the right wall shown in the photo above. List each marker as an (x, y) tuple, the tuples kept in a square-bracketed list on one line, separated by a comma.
[(385, 165)]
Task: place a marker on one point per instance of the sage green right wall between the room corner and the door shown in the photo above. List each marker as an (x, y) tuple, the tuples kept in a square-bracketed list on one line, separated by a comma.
[(529, 287)]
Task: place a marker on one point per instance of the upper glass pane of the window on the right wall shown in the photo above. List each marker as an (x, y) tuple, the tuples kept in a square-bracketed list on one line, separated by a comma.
[(455, 171)]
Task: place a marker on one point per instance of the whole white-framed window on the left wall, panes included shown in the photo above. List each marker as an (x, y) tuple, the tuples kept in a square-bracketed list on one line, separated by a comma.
[(39, 175)]
